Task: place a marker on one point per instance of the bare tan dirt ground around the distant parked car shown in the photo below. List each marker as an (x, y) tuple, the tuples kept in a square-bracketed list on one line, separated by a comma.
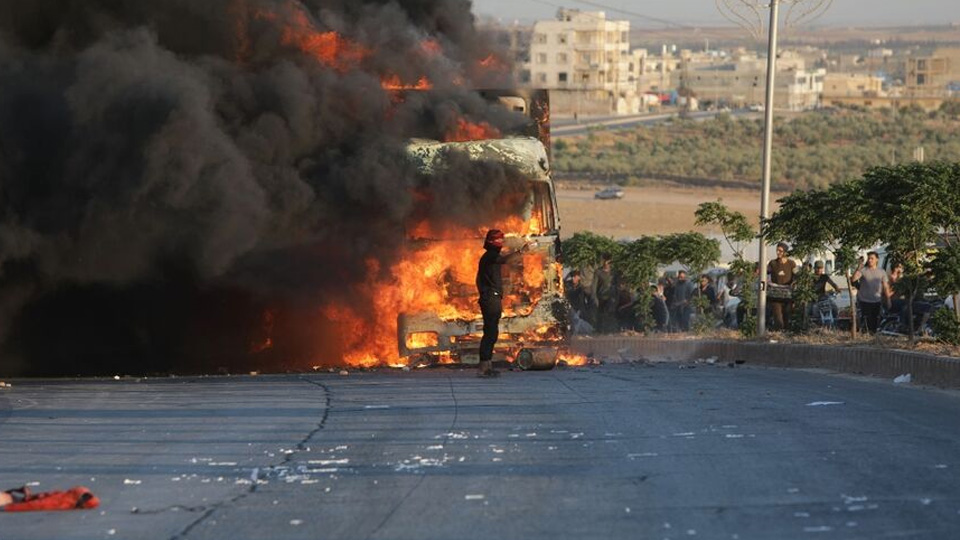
[(647, 210)]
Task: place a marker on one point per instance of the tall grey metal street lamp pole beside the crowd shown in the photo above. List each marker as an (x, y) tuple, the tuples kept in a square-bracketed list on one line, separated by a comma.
[(767, 158)]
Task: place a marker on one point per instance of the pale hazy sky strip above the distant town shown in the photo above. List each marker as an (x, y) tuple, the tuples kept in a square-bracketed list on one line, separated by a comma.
[(847, 12)]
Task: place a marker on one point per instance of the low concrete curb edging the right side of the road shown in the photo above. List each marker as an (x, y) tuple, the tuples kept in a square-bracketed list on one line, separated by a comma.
[(885, 363)]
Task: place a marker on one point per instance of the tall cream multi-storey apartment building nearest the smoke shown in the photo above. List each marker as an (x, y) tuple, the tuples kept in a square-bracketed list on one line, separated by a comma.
[(581, 55)]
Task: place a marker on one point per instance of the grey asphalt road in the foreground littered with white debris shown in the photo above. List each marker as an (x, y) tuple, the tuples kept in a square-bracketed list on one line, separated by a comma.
[(616, 451)]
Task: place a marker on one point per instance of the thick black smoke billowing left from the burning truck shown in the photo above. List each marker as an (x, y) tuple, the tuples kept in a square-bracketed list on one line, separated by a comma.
[(170, 169)]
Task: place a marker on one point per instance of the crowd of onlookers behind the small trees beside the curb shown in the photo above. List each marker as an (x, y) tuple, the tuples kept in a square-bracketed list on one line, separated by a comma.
[(603, 304)]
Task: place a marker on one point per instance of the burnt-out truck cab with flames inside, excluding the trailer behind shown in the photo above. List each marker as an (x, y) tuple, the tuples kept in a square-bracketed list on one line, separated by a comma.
[(536, 314)]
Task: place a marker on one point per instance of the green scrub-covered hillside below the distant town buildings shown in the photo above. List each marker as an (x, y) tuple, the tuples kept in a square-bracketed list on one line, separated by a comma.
[(812, 149)]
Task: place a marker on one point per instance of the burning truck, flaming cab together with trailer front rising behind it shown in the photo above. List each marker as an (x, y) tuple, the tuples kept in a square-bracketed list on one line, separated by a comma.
[(439, 320)]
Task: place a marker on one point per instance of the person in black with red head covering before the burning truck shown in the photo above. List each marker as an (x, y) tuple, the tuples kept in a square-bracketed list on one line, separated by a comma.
[(490, 287)]
